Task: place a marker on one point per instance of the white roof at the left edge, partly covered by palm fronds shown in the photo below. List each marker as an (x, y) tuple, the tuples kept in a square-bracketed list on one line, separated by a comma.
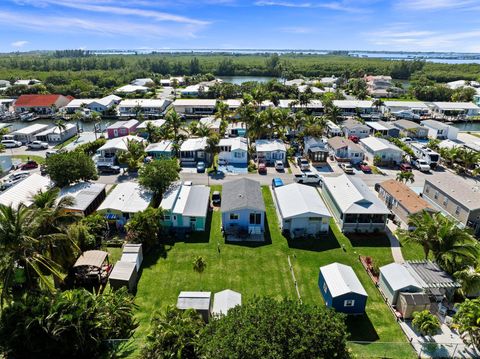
[(24, 191)]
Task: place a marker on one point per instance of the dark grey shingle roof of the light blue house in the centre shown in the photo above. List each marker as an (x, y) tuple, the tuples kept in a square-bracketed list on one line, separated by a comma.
[(242, 194)]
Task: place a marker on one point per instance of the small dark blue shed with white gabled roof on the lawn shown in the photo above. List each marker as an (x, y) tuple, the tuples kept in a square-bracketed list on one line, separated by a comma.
[(341, 289)]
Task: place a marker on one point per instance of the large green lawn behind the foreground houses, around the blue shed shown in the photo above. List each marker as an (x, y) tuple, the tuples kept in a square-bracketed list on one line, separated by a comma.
[(262, 270)]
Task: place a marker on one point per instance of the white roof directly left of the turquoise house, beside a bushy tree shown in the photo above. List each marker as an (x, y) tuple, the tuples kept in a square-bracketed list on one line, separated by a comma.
[(127, 197)]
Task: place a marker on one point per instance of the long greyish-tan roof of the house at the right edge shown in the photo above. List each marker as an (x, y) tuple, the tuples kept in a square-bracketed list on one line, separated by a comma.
[(463, 190)]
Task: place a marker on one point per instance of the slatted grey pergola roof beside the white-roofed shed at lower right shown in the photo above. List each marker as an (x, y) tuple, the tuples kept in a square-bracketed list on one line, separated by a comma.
[(429, 275)]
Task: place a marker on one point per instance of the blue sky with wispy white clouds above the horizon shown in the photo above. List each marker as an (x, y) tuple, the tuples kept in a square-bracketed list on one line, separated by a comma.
[(419, 25)]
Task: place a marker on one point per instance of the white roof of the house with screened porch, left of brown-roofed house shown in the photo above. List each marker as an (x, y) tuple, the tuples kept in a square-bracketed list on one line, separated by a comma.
[(353, 196)]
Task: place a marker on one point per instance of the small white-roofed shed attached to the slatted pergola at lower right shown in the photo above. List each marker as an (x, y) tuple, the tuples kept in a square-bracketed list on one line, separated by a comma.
[(395, 278)]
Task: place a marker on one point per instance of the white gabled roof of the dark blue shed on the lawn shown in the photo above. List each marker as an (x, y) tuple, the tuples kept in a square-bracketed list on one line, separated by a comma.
[(341, 279)]
